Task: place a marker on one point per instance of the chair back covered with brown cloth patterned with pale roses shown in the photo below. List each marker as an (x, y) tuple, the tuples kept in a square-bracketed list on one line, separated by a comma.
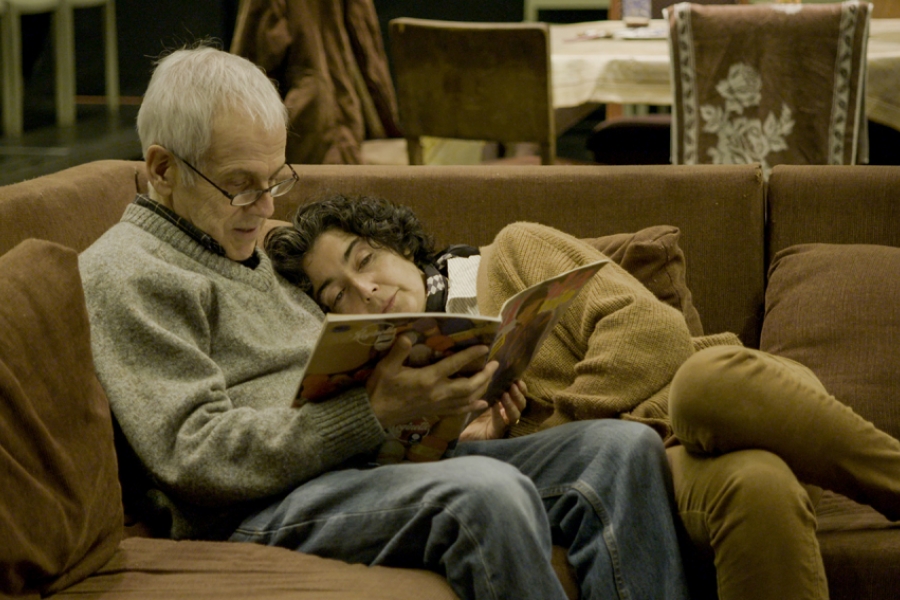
[(769, 83)]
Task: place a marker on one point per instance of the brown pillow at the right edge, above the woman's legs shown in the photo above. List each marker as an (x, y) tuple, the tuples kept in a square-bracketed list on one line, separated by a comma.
[(835, 309)]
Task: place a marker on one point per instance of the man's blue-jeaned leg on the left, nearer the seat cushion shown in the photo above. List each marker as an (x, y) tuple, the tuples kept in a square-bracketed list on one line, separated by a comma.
[(476, 520)]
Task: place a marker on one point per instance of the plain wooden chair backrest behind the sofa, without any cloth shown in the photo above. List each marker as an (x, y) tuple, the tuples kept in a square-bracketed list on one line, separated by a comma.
[(474, 81)]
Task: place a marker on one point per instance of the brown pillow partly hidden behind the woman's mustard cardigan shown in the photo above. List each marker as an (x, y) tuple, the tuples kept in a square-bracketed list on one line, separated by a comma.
[(653, 257)]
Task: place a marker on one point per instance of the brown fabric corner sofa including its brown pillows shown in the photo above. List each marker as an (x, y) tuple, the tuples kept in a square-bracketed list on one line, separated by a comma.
[(62, 521)]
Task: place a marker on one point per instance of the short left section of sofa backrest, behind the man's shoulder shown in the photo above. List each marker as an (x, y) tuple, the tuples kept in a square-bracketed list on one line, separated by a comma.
[(72, 207)]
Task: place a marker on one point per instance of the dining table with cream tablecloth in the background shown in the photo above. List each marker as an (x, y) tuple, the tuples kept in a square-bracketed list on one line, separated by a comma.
[(605, 62)]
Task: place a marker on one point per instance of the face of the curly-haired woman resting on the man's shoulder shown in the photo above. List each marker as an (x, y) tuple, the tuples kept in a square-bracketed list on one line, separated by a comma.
[(350, 276)]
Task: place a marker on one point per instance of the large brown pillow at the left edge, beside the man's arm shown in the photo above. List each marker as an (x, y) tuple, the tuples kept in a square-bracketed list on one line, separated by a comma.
[(61, 507)]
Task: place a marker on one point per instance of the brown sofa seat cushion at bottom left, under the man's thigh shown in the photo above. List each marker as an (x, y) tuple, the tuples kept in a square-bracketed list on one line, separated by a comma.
[(165, 569)]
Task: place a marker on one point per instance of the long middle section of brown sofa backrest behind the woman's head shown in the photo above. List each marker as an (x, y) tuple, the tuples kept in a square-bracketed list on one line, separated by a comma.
[(719, 209)]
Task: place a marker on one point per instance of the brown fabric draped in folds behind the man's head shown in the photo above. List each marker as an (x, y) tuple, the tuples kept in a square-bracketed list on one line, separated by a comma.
[(329, 61)]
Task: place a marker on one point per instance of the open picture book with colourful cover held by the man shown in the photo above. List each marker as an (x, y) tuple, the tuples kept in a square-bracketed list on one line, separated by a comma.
[(350, 346)]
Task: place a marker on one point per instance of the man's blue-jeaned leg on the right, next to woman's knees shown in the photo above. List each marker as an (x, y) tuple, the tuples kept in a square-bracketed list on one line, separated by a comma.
[(606, 487)]
